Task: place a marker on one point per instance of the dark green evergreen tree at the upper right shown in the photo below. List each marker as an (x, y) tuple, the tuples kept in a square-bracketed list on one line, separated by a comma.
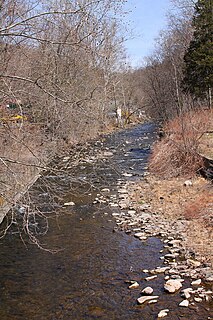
[(198, 69)]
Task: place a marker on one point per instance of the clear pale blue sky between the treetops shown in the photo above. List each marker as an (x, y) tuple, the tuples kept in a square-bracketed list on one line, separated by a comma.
[(146, 18)]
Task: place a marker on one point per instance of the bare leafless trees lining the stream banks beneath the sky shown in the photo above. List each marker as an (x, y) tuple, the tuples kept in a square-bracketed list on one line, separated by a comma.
[(64, 74)]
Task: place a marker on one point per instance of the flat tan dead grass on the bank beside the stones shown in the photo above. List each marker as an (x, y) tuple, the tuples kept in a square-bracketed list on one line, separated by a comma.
[(172, 200)]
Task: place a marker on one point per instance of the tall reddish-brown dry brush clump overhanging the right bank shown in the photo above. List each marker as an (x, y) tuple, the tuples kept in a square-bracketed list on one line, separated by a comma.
[(178, 152)]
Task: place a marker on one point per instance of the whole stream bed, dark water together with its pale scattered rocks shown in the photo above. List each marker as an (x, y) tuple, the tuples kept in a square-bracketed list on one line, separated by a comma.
[(115, 261)]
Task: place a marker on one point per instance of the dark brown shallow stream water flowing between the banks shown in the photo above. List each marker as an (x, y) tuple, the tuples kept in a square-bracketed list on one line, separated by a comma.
[(87, 278)]
